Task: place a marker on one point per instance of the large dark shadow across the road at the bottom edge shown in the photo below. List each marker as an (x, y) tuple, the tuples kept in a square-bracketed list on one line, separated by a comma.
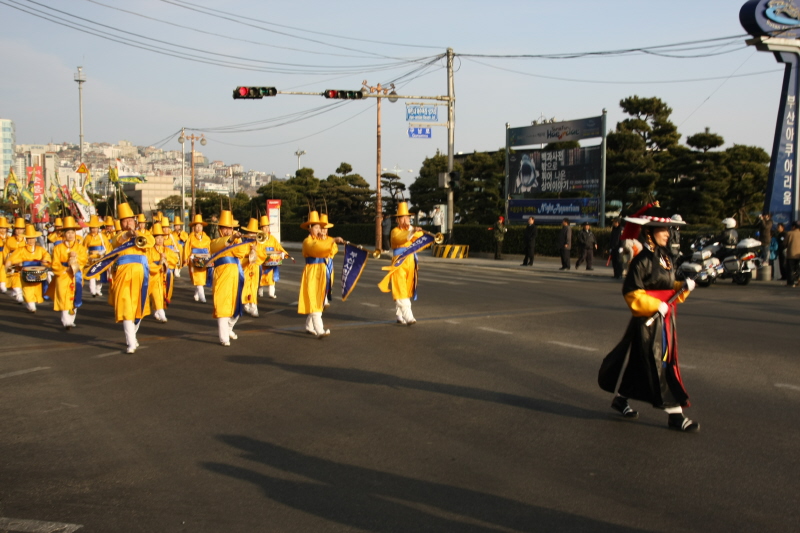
[(371, 500)]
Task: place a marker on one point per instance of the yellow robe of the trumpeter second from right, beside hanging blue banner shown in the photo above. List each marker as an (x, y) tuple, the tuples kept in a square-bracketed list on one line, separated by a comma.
[(315, 284)]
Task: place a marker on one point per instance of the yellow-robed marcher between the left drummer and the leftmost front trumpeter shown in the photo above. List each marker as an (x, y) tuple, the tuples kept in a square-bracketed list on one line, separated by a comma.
[(66, 288)]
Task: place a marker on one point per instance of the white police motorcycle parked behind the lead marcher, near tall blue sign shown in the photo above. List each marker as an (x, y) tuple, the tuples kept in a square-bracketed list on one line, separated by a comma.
[(722, 257)]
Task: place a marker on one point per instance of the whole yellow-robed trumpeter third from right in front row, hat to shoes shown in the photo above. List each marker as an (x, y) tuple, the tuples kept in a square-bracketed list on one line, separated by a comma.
[(229, 254)]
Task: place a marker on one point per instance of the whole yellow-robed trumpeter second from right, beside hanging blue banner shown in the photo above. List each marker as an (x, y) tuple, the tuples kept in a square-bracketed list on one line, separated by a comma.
[(315, 285)]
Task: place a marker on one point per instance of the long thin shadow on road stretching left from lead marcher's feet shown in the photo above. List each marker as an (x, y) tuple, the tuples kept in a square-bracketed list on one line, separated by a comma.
[(353, 375)]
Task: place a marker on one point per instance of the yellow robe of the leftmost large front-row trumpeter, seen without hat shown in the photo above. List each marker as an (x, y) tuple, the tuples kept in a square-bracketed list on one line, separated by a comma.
[(126, 292)]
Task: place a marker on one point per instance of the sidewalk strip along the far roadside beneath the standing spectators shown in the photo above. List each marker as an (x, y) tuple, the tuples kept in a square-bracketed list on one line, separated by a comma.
[(541, 264)]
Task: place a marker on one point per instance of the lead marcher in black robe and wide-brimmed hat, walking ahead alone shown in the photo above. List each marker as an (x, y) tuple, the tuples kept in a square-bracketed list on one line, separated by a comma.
[(644, 365)]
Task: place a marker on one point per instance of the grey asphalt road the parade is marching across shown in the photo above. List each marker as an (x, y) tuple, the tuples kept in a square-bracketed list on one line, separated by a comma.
[(485, 416)]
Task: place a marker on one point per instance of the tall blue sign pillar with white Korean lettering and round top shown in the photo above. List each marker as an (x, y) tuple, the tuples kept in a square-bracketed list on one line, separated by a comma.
[(775, 26)]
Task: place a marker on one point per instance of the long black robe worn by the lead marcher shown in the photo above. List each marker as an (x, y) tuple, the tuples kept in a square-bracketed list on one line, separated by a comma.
[(639, 357)]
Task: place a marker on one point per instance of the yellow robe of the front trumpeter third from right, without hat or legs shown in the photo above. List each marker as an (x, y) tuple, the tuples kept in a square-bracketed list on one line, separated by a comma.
[(227, 271)]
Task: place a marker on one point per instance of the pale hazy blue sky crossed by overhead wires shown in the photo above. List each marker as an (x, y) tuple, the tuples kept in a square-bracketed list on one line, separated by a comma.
[(136, 94)]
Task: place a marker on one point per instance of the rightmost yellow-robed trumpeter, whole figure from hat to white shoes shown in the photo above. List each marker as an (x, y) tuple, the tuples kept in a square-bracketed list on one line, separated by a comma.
[(403, 276)]
